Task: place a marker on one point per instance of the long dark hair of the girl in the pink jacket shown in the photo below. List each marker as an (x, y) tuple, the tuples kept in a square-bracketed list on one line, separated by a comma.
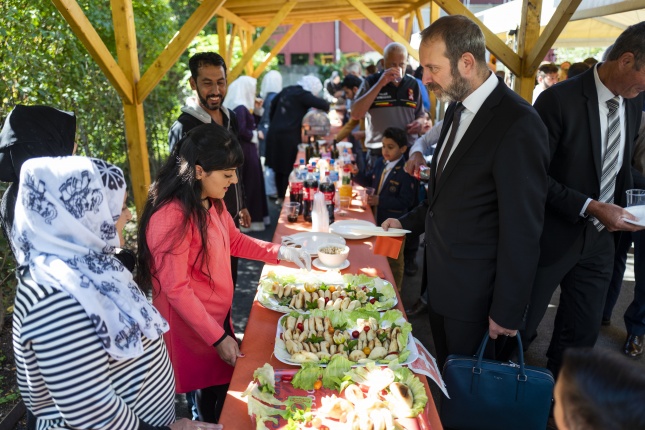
[(213, 148)]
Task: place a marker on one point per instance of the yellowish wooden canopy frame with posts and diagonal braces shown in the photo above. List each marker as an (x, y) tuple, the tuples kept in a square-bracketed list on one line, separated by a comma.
[(246, 16)]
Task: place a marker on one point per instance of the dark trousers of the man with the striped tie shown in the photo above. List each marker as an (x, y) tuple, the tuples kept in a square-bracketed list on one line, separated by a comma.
[(583, 274)]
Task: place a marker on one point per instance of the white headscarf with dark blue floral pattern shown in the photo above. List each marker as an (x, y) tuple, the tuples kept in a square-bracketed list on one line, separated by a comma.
[(65, 233)]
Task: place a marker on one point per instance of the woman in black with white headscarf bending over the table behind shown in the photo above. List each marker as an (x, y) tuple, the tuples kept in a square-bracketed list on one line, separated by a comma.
[(287, 111)]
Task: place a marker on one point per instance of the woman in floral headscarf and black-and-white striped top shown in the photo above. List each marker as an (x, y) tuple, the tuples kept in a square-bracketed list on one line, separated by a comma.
[(88, 345)]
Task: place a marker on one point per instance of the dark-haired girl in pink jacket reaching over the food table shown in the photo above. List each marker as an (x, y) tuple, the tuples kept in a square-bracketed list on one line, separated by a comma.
[(186, 237)]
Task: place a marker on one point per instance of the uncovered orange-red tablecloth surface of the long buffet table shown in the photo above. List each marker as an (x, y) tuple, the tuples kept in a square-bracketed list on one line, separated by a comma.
[(259, 336)]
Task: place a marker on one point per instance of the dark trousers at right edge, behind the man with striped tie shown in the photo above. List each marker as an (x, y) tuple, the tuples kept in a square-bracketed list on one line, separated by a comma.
[(635, 313)]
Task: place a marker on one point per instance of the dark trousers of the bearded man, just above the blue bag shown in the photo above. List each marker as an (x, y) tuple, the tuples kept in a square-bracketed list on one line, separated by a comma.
[(453, 336)]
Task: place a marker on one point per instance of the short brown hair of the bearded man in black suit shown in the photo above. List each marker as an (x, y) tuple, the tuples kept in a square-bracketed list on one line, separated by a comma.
[(460, 35)]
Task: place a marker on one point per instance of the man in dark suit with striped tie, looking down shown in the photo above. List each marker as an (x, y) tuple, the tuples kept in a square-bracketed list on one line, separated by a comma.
[(592, 120)]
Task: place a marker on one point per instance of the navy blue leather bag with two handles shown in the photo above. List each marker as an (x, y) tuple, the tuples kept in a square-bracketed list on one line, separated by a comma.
[(491, 395)]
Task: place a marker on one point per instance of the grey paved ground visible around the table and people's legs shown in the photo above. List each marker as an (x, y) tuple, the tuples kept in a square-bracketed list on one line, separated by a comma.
[(611, 337)]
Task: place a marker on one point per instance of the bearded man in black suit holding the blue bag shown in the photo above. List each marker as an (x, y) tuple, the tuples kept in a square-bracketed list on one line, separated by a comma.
[(484, 212)]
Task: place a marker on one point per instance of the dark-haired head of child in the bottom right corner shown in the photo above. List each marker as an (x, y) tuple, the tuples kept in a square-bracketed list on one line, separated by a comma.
[(601, 390)]
